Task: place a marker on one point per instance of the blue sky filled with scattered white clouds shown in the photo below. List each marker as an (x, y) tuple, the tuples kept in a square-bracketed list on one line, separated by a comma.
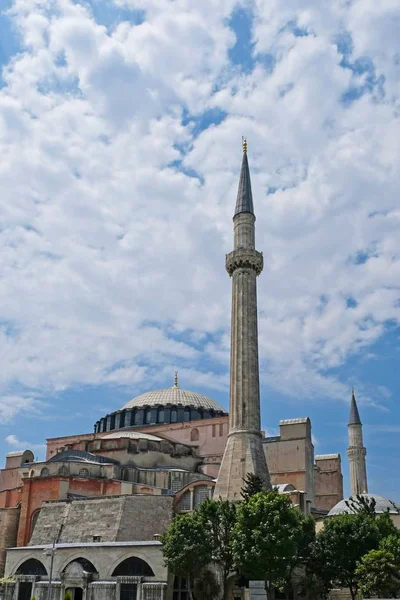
[(120, 148)]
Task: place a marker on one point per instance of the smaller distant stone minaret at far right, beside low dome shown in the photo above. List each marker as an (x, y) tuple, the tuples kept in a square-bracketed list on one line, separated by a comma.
[(356, 451)]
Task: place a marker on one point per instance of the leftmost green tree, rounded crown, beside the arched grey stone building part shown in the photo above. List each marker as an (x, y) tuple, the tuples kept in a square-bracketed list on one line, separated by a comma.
[(187, 547)]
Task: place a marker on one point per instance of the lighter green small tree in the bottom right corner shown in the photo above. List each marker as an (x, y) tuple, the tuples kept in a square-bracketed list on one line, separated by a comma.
[(378, 574)]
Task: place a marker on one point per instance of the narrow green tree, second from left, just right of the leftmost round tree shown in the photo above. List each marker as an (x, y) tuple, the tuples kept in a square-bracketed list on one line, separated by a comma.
[(219, 519)]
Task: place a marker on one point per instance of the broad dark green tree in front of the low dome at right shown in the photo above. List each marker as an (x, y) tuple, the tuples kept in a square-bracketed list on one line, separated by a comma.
[(340, 546)]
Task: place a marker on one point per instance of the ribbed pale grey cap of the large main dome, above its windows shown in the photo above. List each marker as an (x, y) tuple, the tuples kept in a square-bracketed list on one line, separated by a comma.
[(174, 396)]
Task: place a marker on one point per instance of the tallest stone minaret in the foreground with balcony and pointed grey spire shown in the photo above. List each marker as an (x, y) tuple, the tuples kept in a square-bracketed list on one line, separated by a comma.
[(244, 451)]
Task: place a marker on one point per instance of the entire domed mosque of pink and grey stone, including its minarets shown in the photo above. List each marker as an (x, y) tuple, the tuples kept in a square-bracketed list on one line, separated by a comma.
[(87, 519)]
